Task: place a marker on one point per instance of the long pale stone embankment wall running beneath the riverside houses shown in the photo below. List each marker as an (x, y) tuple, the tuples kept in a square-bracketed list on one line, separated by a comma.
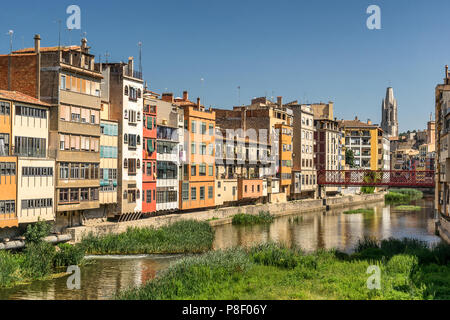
[(225, 214)]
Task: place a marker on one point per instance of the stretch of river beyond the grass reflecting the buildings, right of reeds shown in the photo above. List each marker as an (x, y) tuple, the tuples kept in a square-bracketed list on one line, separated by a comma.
[(329, 230)]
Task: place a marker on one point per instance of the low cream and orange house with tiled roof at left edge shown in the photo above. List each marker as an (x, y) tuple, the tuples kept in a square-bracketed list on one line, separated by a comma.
[(27, 174)]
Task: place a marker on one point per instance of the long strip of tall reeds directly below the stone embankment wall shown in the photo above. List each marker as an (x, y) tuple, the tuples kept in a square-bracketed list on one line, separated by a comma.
[(181, 237)]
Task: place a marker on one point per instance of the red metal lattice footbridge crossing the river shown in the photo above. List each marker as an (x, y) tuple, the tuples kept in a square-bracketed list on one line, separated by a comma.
[(380, 178)]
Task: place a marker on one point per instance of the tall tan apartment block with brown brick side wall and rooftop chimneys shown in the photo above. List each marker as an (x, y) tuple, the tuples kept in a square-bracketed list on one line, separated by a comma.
[(66, 78)]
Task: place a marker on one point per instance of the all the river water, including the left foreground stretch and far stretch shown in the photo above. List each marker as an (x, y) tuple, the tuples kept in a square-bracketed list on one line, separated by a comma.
[(103, 276)]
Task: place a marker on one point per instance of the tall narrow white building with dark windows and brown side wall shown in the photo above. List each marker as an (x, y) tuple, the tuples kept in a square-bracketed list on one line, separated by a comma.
[(125, 87)]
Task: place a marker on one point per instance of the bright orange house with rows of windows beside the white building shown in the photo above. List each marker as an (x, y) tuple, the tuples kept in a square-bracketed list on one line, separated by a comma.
[(198, 182)]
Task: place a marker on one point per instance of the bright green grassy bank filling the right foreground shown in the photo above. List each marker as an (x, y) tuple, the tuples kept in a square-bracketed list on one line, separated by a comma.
[(409, 270)]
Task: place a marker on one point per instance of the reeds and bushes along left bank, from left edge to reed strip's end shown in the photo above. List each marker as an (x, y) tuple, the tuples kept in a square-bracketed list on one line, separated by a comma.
[(41, 260)]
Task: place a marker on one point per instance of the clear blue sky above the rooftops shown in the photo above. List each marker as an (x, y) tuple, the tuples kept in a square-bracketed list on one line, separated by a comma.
[(310, 51)]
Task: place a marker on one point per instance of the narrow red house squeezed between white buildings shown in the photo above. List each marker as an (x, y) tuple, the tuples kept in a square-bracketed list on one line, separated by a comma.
[(149, 158)]
